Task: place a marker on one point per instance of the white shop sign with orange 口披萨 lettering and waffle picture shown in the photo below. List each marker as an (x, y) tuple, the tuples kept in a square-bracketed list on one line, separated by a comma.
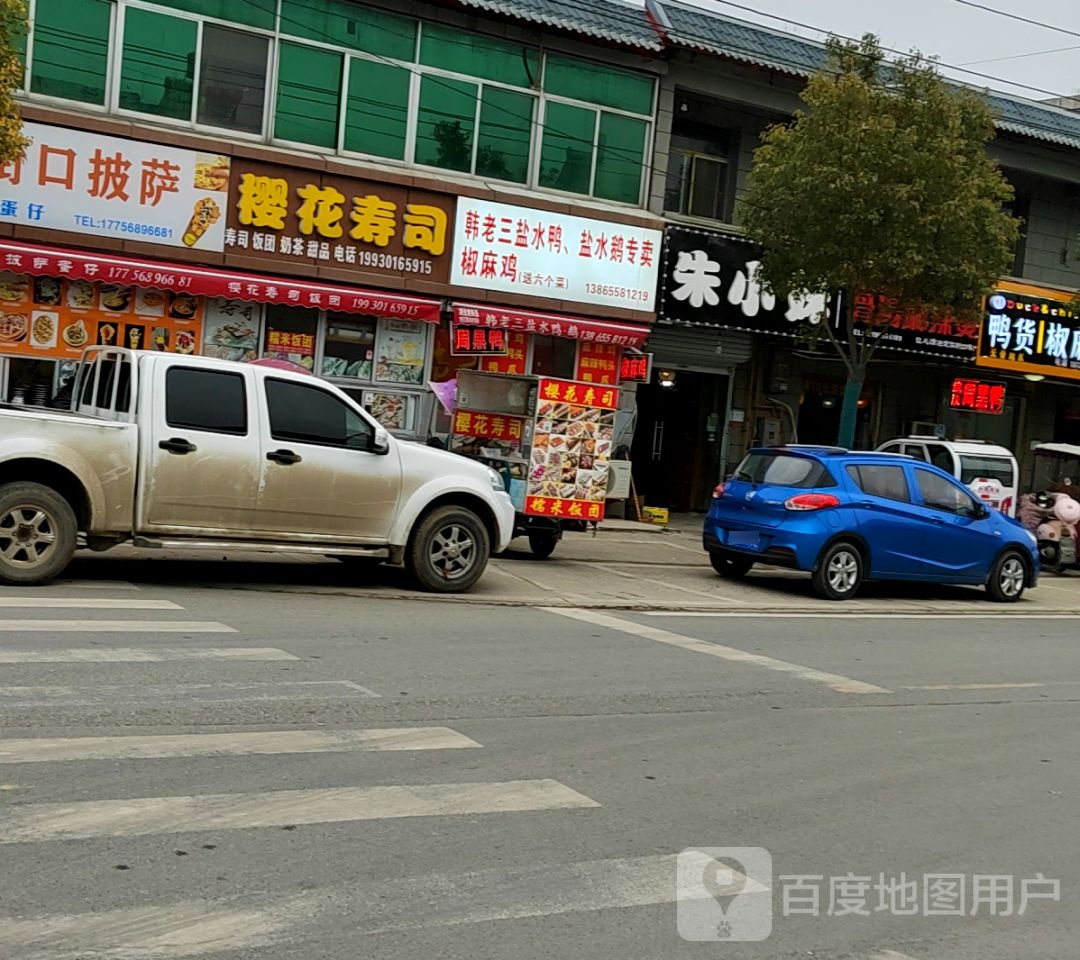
[(91, 184)]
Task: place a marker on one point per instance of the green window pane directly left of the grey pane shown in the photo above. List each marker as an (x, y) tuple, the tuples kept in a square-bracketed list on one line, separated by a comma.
[(158, 65)]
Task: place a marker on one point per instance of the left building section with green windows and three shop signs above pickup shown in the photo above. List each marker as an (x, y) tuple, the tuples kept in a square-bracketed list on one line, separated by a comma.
[(383, 195)]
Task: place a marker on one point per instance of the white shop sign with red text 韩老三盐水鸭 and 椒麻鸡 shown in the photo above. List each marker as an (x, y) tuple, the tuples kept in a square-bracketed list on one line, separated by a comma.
[(517, 250)]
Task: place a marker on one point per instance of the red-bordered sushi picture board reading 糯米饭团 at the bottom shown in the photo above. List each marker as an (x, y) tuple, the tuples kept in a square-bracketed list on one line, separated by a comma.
[(572, 447)]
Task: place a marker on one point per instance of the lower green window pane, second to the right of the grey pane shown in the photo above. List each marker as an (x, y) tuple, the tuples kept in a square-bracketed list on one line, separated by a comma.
[(377, 111)]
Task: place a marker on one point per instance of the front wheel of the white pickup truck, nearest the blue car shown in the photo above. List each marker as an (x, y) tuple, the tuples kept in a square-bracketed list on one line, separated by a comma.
[(449, 550)]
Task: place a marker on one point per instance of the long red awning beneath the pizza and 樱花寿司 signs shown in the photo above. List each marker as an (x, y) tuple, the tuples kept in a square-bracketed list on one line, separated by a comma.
[(204, 282)]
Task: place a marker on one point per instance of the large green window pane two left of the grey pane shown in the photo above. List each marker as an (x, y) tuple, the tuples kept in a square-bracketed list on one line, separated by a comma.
[(72, 51)]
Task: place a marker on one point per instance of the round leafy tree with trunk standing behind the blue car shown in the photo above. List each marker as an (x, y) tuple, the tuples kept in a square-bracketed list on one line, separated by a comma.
[(882, 186)]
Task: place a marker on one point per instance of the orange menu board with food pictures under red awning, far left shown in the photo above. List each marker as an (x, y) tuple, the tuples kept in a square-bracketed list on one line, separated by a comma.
[(50, 318)]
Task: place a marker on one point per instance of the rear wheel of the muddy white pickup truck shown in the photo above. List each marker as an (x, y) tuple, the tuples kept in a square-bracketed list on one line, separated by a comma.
[(38, 533)]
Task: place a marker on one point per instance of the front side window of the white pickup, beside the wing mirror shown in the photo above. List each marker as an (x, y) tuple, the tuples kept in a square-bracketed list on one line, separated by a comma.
[(310, 415)]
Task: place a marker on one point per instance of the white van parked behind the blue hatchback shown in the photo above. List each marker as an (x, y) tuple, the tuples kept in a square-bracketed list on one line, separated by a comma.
[(989, 470)]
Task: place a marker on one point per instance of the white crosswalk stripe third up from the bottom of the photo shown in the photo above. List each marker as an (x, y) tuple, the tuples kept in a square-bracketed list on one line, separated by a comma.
[(44, 750)]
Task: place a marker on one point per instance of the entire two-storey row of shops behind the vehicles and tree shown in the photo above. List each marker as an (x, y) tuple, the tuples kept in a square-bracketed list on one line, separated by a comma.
[(358, 186)]
